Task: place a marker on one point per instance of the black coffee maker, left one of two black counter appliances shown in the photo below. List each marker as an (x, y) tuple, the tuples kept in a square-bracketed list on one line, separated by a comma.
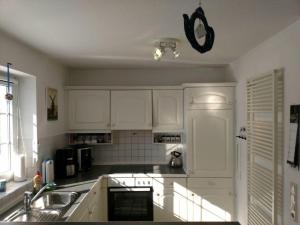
[(66, 163)]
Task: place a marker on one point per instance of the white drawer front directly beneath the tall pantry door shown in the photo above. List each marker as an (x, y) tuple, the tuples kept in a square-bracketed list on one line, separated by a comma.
[(209, 183)]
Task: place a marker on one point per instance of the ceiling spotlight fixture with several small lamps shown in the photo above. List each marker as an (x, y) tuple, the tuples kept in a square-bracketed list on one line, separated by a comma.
[(163, 46)]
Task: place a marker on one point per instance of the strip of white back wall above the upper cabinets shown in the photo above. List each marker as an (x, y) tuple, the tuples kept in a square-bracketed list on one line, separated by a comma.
[(146, 76)]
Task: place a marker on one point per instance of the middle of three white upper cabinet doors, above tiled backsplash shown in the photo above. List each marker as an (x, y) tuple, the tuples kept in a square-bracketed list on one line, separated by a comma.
[(131, 110)]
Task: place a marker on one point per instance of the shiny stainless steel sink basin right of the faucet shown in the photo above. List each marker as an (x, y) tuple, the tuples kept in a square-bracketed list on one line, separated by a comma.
[(54, 200)]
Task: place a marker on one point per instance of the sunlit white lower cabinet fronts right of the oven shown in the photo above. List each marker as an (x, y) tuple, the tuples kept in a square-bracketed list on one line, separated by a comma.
[(193, 199)]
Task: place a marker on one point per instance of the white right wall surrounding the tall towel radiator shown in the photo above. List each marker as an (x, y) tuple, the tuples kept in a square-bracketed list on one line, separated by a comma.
[(281, 51)]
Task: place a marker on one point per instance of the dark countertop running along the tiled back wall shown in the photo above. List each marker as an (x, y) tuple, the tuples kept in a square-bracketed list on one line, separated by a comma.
[(96, 171)]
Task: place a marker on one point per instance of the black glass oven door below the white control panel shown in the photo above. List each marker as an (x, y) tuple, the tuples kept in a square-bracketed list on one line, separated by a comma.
[(130, 204)]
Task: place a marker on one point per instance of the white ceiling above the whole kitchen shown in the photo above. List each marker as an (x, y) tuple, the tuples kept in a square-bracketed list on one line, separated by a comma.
[(121, 33)]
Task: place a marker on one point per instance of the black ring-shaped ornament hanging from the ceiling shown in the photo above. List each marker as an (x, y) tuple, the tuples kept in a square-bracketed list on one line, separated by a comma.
[(189, 24)]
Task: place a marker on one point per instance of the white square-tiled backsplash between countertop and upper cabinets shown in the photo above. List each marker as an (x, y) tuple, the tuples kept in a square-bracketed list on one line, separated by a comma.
[(133, 147)]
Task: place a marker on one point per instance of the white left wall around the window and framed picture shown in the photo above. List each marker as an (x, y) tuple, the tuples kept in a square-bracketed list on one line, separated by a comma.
[(48, 73)]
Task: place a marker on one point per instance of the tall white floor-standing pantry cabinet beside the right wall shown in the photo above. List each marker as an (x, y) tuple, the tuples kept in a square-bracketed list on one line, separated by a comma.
[(209, 148)]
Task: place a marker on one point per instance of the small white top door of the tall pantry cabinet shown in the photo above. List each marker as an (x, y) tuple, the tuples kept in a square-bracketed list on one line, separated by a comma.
[(209, 98)]
